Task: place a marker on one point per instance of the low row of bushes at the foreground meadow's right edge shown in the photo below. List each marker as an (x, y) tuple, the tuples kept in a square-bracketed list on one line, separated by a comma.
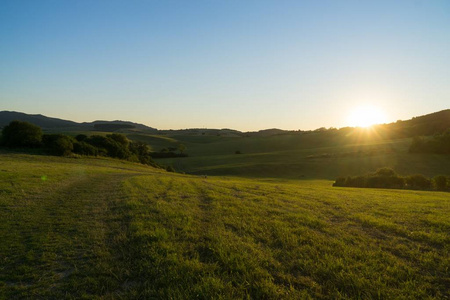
[(389, 179)]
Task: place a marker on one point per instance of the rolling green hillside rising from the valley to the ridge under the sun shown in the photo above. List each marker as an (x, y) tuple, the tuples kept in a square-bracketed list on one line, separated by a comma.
[(321, 154)]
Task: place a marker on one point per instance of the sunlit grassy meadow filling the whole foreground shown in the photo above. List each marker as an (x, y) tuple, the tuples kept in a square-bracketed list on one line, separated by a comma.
[(103, 228)]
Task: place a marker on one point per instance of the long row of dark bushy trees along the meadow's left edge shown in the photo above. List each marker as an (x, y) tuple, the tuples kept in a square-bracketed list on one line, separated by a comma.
[(24, 134)]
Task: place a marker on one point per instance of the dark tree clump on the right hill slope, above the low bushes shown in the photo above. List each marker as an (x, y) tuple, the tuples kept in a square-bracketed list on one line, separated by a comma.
[(439, 143)]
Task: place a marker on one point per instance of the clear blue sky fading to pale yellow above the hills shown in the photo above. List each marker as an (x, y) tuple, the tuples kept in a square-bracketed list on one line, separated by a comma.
[(245, 65)]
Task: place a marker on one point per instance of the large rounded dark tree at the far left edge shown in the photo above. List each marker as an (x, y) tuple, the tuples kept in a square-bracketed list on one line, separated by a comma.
[(21, 134)]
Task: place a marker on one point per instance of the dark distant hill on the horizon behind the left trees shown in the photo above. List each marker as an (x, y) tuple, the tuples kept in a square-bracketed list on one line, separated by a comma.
[(54, 123)]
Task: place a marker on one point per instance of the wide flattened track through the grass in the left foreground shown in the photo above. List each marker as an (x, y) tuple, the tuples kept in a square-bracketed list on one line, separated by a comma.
[(63, 243)]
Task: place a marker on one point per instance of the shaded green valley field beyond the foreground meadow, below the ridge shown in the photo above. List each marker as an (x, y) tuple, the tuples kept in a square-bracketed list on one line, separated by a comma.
[(311, 156)]
